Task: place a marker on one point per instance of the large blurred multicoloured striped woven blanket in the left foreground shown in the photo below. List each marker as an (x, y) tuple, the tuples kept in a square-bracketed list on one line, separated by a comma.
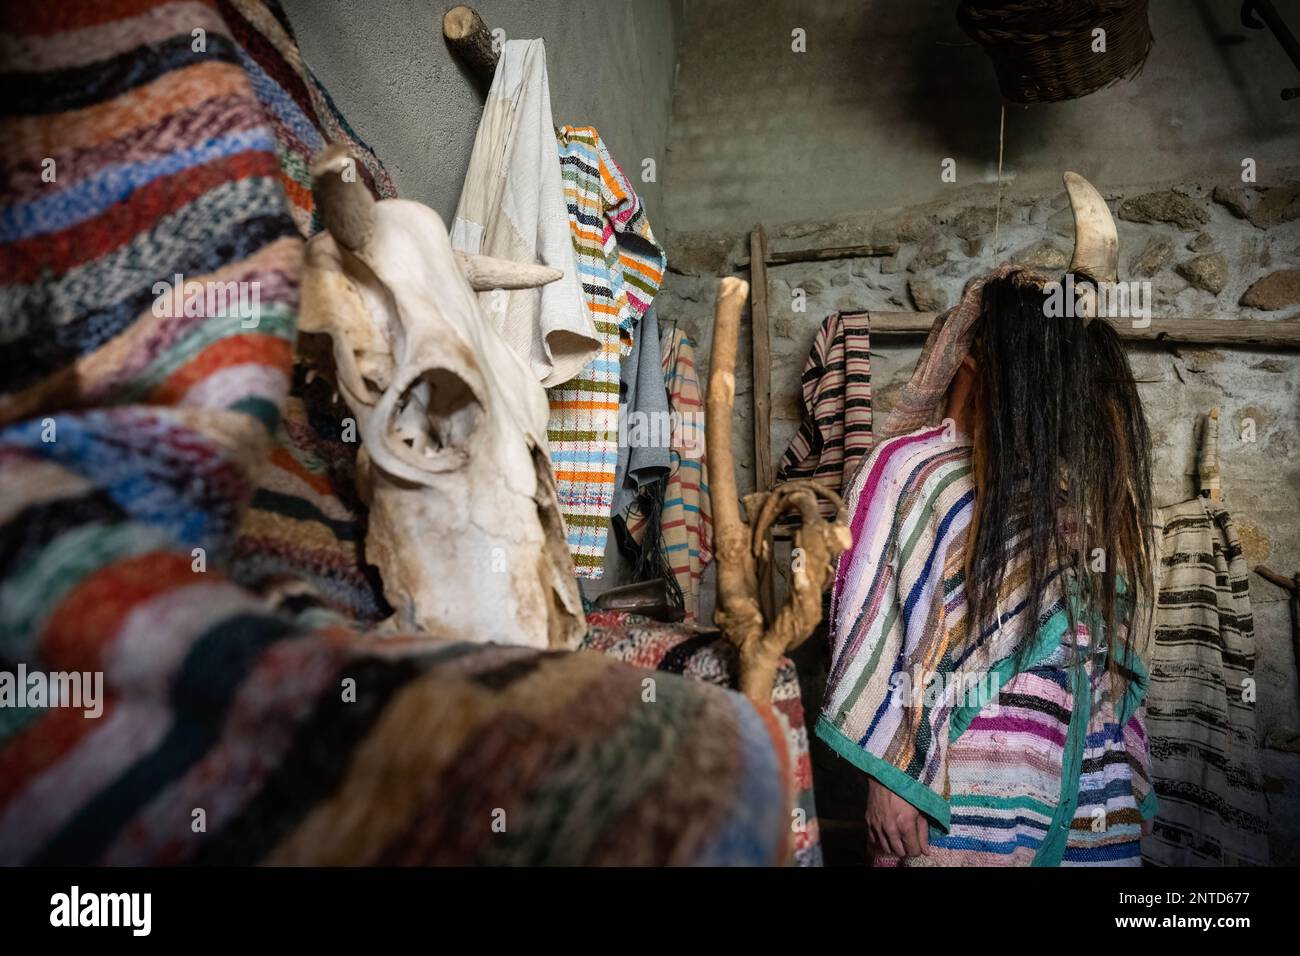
[(154, 146)]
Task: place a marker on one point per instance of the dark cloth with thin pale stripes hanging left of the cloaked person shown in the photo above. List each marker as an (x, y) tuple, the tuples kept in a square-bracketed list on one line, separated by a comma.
[(835, 434)]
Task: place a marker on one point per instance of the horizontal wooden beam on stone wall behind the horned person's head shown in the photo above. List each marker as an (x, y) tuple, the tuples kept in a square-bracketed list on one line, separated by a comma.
[(1282, 334)]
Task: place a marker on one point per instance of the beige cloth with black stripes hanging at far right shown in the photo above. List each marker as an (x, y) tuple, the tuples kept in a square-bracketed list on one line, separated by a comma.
[(1206, 756)]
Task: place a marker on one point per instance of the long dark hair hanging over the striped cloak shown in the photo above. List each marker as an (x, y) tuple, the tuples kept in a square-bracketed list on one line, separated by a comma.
[(1061, 458)]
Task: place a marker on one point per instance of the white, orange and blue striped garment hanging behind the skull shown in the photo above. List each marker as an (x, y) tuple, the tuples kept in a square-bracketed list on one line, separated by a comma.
[(622, 267)]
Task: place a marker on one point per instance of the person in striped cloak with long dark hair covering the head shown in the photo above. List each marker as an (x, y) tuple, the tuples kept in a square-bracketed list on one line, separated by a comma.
[(985, 676)]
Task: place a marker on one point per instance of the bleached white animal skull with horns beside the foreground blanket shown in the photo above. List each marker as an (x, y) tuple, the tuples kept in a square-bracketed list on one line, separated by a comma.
[(465, 522)]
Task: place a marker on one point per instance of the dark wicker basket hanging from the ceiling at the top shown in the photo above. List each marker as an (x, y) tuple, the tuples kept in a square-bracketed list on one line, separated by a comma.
[(1045, 50)]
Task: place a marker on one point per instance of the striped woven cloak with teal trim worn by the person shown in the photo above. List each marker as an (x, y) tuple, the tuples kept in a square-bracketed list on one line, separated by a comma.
[(1011, 742)]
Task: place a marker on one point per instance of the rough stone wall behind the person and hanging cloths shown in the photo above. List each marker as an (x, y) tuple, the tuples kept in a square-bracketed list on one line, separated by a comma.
[(1210, 250)]
